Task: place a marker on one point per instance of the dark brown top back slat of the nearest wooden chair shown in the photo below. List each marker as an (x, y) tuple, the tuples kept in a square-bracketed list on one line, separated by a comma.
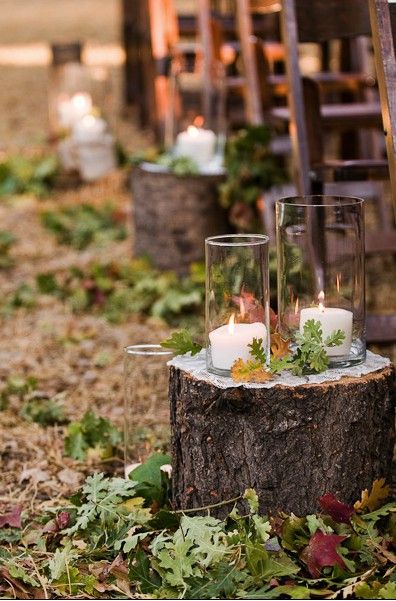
[(323, 20)]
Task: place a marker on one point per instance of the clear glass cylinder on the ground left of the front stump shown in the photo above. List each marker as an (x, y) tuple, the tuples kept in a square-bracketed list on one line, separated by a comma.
[(146, 405)]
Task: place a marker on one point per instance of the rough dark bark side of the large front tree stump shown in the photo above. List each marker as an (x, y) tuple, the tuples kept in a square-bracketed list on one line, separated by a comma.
[(291, 444)]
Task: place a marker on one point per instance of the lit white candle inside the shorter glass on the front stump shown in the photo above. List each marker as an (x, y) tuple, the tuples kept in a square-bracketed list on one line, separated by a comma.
[(230, 342)]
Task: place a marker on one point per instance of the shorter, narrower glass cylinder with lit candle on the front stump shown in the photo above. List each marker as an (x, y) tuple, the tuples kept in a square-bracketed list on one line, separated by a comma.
[(237, 298)]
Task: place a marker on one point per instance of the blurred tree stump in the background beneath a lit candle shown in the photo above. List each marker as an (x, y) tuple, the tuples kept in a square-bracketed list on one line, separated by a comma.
[(173, 215)]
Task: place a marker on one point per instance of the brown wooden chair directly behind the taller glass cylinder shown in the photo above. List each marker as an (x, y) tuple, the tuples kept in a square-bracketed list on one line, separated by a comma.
[(307, 21)]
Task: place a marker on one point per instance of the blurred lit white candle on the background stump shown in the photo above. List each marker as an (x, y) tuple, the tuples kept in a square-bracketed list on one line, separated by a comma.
[(197, 144)]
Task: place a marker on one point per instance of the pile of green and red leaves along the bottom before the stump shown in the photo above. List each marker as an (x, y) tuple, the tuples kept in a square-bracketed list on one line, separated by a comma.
[(113, 539)]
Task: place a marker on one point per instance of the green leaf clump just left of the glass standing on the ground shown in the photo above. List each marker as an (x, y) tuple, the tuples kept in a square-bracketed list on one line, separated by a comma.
[(91, 432)]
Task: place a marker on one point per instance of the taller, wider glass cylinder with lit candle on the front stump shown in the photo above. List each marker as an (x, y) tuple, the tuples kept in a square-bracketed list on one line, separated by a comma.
[(320, 252)]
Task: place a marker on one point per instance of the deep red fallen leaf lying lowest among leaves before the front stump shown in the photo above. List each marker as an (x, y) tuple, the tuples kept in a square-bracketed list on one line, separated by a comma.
[(321, 552)]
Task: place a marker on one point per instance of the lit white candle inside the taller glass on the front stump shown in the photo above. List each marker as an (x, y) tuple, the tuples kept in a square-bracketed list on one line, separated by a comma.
[(330, 319)]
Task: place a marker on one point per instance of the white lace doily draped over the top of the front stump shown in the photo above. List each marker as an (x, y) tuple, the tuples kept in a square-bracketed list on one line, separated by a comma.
[(196, 366)]
